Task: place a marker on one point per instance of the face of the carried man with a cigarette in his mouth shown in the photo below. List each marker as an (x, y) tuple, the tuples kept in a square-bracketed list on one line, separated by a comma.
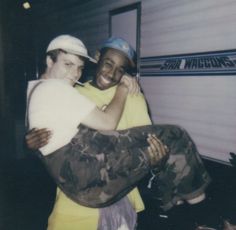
[(67, 66)]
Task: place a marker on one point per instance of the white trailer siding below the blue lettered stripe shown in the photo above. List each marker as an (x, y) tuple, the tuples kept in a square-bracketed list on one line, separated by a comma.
[(205, 106)]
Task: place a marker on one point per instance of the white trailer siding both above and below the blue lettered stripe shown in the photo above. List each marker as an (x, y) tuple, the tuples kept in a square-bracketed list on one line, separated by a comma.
[(204, 105)]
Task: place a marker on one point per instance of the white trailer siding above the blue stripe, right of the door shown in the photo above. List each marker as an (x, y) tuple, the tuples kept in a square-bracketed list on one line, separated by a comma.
[(187, 26)]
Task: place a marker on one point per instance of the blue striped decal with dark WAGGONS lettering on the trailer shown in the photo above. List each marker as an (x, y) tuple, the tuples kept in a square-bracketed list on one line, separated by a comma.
[(210, 63)]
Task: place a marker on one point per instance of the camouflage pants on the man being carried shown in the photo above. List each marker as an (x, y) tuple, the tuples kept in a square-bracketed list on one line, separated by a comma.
[(97, 168)]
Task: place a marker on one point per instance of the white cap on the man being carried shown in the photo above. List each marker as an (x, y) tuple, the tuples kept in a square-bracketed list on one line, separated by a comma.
[(71, 45)]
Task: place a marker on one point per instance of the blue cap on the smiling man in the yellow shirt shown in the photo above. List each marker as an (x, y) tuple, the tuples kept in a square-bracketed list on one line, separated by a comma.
[(121, 45)]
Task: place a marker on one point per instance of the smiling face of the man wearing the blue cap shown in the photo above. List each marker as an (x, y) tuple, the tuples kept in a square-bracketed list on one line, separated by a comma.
[(111, 67)]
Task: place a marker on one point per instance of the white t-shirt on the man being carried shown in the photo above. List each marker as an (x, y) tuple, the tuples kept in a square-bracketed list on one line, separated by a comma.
[(57, 106)]
